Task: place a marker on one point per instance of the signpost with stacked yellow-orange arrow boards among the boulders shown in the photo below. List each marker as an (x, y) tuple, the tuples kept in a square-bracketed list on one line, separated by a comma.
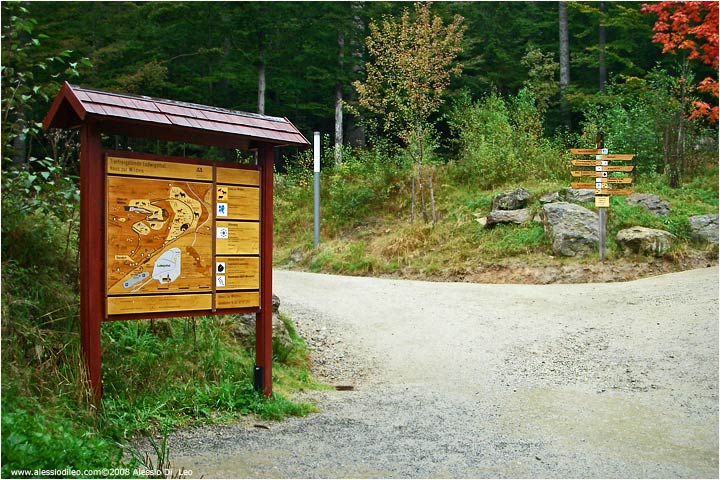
[(605, 177)]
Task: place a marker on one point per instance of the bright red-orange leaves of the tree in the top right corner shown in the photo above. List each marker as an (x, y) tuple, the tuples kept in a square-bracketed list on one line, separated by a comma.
[(691, 27)]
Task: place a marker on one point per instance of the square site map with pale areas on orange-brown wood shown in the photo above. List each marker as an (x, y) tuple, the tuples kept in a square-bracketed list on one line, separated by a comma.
[(159, 236)]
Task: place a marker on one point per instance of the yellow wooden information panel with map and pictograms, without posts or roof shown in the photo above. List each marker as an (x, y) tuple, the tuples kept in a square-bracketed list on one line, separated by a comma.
[(181, 236)]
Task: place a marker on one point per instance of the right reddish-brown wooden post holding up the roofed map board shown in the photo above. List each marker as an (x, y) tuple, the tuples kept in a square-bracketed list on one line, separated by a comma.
[(263, 325)]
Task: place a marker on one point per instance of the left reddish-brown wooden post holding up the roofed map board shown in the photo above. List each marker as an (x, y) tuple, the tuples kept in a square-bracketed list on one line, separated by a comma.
[(92, 254)]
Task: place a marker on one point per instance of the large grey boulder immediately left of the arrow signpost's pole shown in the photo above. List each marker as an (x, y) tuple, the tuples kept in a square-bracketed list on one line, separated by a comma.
[(572, 229)]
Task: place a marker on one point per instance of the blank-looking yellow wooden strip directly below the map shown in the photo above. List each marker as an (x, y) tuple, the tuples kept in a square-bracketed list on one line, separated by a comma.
[(158, 303)]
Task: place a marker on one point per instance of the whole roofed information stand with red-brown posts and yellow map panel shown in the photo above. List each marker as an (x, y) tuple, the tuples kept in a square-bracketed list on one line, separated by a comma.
[(166, 236)]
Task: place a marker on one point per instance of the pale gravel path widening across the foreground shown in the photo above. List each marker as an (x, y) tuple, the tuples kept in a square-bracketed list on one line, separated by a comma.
[(472, 380)]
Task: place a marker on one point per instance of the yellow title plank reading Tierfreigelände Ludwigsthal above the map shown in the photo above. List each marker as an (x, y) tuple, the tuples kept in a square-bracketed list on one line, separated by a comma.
[(152, 168)]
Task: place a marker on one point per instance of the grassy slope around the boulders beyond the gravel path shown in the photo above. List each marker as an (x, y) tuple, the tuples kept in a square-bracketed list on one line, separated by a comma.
[(379, 240)]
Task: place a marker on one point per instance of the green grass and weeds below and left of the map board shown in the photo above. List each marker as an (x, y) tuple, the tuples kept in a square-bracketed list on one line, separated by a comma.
[(157, 375)]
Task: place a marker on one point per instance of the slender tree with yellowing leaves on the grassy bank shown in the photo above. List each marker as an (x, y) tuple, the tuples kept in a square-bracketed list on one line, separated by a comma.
[(412, 61)]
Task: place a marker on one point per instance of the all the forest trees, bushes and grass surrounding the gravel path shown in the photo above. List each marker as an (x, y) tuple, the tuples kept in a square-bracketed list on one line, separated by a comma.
[(427, 112)]
